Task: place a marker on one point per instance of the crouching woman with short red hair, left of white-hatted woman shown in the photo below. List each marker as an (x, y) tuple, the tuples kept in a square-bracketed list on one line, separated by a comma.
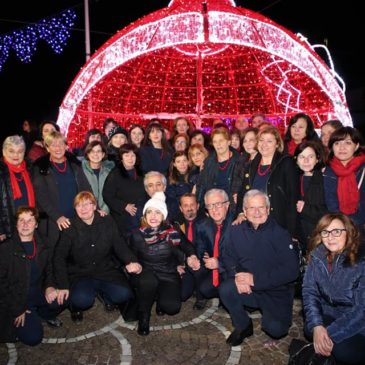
[(84, 264)]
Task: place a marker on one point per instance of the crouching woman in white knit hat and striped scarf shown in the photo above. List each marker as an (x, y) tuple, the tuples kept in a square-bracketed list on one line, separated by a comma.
[(159, 249)]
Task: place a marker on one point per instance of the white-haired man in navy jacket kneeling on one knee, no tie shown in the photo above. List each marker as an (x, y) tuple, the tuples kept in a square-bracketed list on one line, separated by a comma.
[(261, 267)]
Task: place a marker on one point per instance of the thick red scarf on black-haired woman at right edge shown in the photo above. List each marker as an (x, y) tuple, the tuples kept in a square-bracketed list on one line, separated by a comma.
[(347, 190)]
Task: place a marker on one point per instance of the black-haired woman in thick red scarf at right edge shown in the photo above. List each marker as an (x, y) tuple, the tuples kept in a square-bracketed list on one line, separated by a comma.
[(344, 177)]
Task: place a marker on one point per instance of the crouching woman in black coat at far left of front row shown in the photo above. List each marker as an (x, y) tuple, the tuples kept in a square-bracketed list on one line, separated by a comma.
[(27, 290)]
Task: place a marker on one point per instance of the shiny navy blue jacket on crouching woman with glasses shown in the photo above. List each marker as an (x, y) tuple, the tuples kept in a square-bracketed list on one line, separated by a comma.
[(339, 294)]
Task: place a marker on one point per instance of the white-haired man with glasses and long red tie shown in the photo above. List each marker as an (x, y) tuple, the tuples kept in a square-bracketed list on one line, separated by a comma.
[(209, 244)]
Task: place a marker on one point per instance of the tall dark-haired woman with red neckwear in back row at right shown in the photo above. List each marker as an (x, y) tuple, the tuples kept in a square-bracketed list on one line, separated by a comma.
[(300, 129)]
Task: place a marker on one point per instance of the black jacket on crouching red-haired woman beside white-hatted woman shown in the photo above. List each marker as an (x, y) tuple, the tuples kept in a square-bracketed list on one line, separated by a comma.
[(86, 251)]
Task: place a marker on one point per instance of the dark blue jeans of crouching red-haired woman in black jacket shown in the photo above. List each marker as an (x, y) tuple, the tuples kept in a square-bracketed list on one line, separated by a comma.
[(84, 291)]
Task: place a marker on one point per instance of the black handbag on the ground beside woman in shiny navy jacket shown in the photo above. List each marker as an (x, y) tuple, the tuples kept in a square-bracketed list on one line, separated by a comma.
[(302, 353)]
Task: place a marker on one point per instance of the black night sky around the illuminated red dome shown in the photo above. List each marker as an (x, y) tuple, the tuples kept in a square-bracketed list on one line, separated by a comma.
[(34, 91)]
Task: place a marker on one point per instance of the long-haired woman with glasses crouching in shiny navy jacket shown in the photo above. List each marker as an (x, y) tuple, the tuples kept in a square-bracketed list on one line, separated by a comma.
[(334, 290)]
